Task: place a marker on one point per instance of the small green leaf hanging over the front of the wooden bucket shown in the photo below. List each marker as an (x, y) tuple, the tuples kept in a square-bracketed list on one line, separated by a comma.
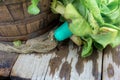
[(33, 8)]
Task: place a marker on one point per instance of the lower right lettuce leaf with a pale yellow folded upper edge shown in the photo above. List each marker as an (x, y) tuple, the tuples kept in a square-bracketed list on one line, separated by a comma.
[(105, 36)]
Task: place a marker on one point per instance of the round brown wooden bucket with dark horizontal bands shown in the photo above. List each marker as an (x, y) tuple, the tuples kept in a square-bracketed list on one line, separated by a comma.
[(17, 24)]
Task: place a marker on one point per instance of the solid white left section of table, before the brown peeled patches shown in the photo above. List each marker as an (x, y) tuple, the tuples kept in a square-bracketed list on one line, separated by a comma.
[(30, 66)]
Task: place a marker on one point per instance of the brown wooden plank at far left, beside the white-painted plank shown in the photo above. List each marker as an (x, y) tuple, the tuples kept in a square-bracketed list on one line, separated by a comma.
[(6, 62)]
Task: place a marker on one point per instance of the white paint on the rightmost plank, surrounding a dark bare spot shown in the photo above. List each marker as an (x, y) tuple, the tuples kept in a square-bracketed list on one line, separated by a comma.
[(109, 60)]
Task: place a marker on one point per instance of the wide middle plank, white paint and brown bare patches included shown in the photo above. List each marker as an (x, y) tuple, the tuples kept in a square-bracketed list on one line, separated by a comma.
[(61, 64)]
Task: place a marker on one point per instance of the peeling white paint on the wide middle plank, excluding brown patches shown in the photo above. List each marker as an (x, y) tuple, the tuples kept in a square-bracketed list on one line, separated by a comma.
[(36, 67)]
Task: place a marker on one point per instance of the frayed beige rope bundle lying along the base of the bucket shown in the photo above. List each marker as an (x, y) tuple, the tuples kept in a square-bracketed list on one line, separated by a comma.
[(40, 44)]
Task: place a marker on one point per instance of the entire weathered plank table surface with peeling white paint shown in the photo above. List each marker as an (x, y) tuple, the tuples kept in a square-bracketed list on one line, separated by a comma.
[(62, 63)]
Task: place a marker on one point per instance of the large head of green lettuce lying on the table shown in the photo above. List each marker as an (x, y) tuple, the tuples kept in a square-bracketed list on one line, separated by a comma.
[(96, 22)]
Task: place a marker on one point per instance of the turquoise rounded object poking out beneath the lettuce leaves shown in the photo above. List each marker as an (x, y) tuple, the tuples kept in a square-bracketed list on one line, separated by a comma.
[(62, 32)]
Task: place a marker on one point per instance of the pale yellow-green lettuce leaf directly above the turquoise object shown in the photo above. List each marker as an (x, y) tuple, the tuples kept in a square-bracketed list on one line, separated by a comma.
[(78, 23)]
